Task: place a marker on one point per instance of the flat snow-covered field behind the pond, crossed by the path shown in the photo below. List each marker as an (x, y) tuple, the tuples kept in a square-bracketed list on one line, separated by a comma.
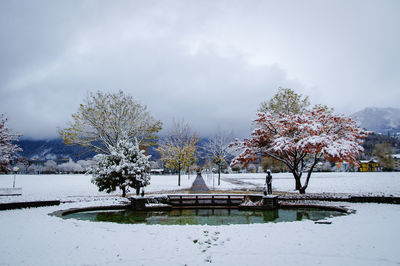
[(65, 187)]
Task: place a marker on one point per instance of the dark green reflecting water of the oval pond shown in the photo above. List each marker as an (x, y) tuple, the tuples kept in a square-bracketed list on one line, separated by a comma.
[(204, 216)]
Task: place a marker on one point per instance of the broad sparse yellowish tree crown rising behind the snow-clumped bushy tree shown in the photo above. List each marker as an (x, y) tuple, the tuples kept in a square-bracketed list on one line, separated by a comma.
[(104, 118)]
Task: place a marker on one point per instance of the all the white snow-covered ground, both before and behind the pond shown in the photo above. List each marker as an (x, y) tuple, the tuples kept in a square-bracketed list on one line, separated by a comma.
[(32, 237)]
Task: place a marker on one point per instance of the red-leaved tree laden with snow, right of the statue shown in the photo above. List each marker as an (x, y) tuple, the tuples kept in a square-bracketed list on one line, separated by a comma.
[(300, 141)]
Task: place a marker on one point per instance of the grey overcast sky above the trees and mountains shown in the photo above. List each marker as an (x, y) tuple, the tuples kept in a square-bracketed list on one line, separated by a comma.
[(208, 62)]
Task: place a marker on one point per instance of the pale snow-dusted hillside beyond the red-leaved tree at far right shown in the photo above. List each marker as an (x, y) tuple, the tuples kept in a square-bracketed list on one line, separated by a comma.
[(379, 120)]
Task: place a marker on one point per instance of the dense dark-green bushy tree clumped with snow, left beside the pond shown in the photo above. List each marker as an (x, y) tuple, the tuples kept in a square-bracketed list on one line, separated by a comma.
[(125, 167)]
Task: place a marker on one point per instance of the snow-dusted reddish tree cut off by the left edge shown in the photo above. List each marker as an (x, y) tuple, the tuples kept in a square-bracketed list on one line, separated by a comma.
[(7, 148)]
